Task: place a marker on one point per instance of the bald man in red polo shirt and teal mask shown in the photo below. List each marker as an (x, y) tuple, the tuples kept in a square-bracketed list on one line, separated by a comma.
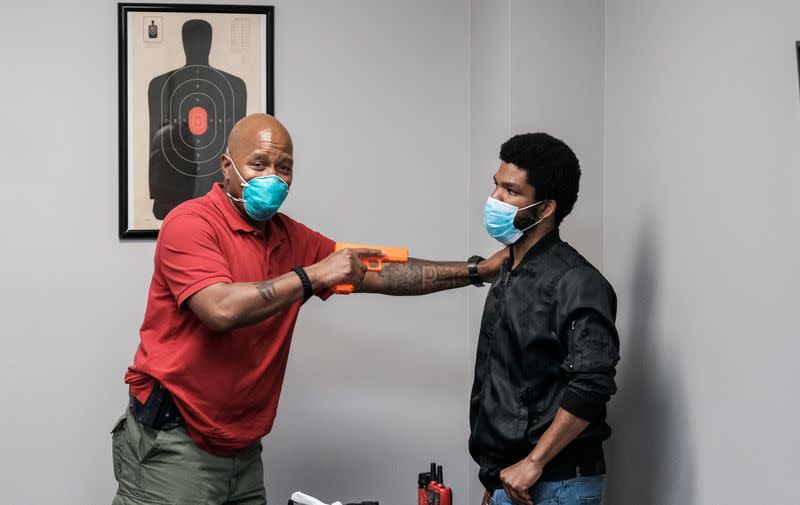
[(230, 275)]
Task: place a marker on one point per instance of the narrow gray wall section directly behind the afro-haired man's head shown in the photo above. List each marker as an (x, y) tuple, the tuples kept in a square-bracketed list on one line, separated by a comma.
[(536, 66)]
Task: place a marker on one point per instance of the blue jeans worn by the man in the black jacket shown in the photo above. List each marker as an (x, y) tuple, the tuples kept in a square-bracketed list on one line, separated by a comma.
[(577, 491)]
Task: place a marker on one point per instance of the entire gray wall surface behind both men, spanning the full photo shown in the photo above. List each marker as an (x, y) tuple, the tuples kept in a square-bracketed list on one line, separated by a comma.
[(684, 115)]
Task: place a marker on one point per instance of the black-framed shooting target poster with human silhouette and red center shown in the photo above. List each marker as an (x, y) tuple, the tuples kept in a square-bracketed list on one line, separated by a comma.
[(187, 74)]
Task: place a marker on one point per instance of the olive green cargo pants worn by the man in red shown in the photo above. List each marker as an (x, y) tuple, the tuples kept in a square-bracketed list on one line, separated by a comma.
[(155, 467)]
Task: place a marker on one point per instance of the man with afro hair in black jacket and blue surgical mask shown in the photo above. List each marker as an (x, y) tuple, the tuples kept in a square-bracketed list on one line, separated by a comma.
[(548, 345)]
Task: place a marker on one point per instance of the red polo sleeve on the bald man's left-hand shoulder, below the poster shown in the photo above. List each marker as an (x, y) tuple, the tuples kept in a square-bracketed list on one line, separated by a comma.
[(189, 256)]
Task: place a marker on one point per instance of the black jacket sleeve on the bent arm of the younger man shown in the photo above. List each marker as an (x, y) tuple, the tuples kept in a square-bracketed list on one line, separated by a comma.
[(586, 308)]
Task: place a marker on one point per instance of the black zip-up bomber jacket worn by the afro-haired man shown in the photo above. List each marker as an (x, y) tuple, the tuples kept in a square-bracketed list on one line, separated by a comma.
[(547, 340)]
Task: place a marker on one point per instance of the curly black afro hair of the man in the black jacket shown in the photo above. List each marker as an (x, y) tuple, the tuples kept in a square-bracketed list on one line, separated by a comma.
[(552, 168)]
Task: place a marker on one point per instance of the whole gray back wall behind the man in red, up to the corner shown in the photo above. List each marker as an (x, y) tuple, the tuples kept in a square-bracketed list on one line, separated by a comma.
[(377, 96)]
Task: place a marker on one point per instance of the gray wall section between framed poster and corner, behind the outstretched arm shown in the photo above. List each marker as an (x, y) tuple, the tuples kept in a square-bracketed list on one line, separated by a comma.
[(377, 96)]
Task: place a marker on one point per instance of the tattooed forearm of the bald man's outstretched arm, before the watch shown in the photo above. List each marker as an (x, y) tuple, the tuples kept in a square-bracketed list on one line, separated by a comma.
[(418, 277)]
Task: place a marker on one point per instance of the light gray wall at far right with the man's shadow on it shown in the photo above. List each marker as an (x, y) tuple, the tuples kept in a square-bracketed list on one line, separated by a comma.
[(701, 174)]
